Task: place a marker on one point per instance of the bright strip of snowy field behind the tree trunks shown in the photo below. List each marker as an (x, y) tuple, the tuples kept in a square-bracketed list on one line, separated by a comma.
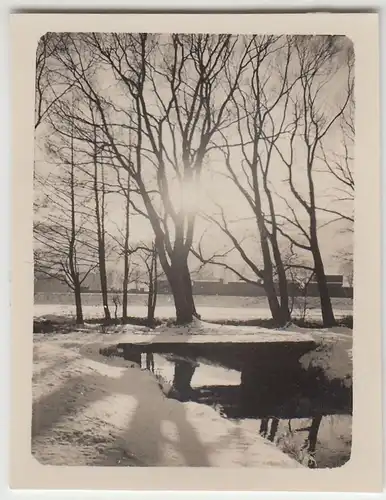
[(167, 311)]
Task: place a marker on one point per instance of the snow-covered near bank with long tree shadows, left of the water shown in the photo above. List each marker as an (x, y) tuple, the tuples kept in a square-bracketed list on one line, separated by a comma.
[(93, 410)]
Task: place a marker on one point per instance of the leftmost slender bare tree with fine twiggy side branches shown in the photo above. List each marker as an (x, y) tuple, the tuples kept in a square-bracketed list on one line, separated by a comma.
[(63, 251)]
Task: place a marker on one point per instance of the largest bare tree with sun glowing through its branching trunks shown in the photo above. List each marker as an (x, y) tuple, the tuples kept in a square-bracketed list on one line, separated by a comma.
[(192, 107)]
